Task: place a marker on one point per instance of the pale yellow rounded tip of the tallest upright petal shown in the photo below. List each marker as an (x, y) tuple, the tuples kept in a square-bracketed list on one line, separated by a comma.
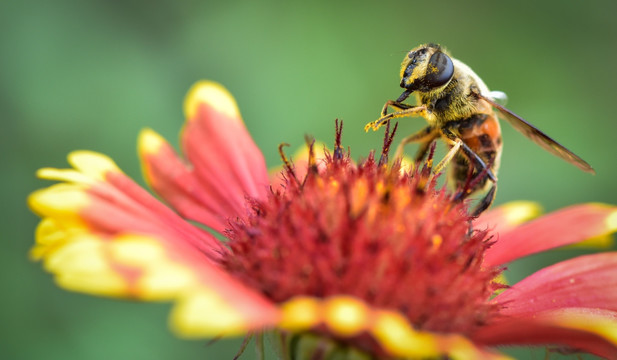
[(212, 94)]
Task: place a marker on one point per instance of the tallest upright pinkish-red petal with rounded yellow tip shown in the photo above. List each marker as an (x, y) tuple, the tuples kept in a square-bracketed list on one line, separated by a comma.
[(216, 142)]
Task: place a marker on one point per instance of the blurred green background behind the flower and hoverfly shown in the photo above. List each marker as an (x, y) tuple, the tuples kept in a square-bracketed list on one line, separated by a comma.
[(91, 74)]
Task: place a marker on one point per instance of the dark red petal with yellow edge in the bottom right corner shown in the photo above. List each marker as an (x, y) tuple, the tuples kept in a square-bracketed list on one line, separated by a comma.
[(590, 330)]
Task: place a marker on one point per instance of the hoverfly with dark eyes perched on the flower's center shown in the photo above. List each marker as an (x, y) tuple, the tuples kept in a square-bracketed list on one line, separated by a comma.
[(459, 109)]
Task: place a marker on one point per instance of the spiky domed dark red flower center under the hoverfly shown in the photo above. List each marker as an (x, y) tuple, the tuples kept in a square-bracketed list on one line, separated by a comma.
[(370, 231)]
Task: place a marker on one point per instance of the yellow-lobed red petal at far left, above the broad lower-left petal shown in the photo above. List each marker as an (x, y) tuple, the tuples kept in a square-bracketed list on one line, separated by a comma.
[(100, 196)]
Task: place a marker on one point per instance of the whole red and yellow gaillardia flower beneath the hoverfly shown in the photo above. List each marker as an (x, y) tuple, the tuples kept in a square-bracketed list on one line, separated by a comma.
[(337, 259)]
